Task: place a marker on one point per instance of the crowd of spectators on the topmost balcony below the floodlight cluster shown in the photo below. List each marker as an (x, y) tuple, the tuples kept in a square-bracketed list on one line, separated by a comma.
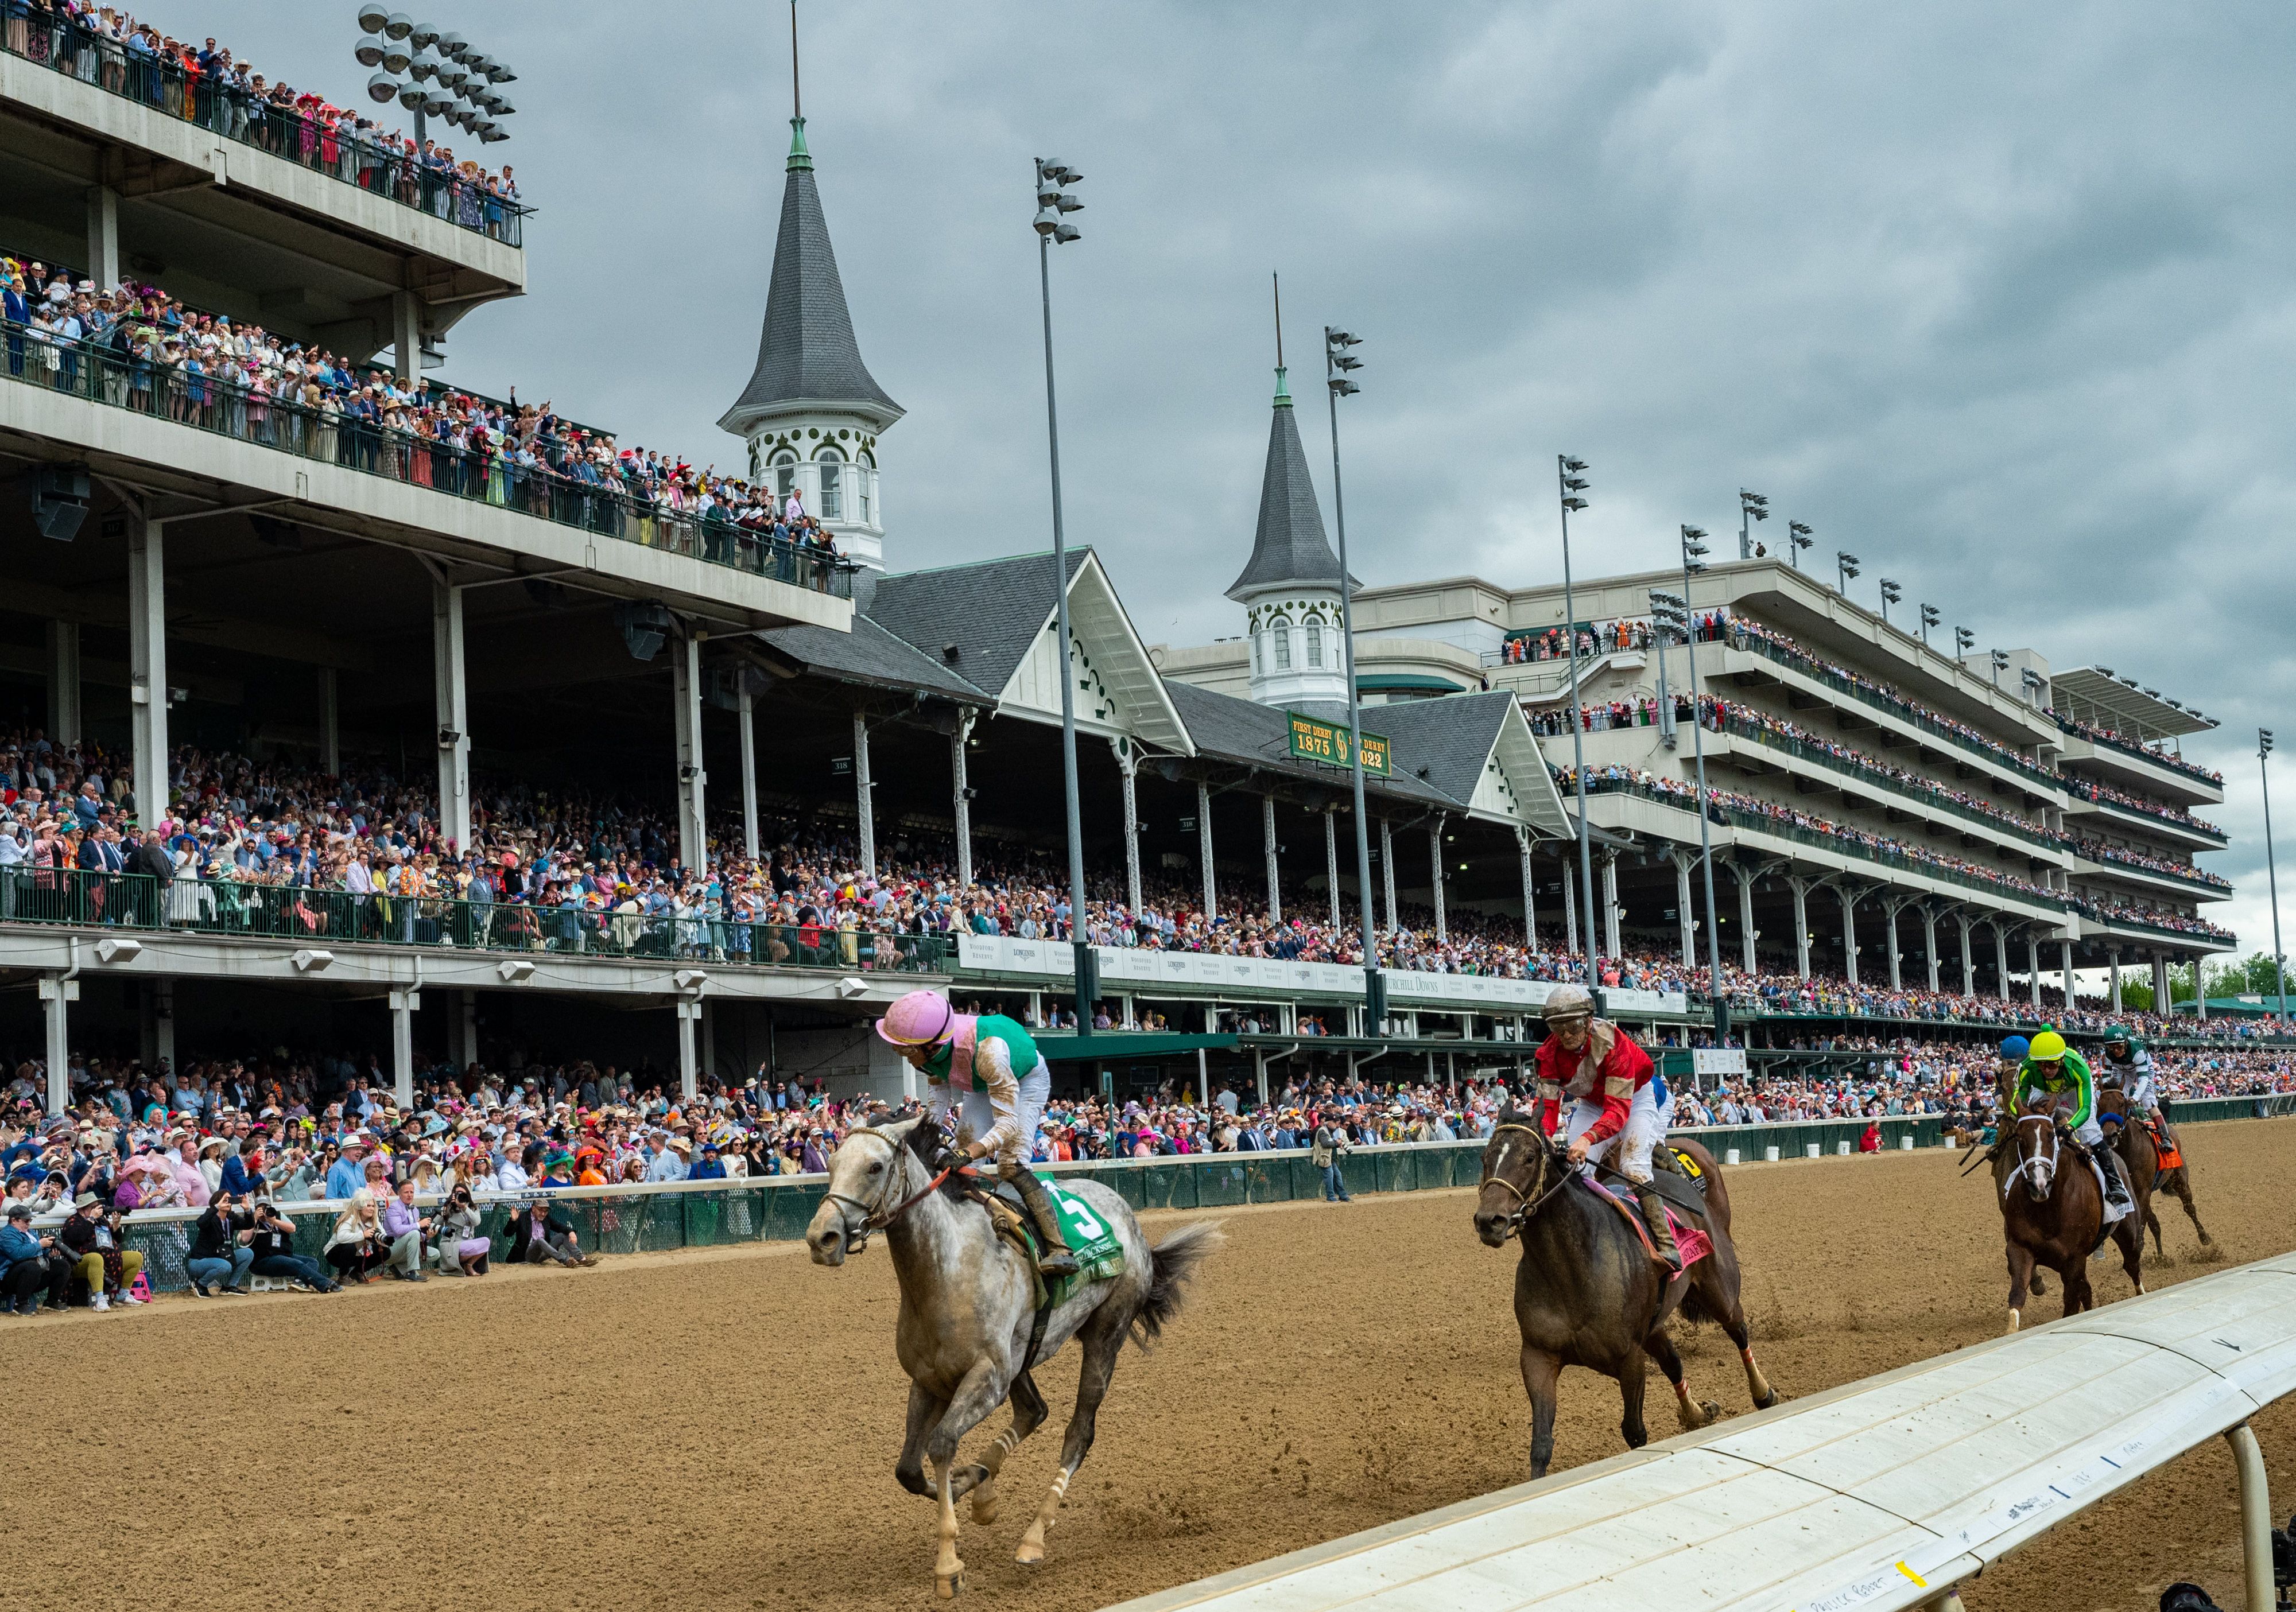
[(208, 86)]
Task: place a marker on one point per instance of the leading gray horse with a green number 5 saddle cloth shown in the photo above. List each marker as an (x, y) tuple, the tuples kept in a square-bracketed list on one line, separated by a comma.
[(968, 1310)]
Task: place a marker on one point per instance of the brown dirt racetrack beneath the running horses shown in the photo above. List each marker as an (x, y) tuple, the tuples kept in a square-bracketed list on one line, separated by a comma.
[(720, 1429)]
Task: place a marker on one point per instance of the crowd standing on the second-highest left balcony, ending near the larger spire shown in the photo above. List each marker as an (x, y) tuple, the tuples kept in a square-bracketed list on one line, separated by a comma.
[(143, 350)]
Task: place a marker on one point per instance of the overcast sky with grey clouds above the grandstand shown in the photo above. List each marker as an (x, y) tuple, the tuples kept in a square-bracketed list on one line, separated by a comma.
[(1994, 297)]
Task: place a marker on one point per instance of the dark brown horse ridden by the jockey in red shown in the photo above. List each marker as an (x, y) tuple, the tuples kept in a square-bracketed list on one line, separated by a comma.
[(1588, 1292)]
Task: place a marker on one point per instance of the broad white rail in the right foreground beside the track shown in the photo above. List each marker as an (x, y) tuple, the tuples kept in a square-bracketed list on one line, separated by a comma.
[(1875, 1496)]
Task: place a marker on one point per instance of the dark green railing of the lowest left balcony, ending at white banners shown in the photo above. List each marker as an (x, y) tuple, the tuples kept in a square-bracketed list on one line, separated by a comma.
[(311, 917)]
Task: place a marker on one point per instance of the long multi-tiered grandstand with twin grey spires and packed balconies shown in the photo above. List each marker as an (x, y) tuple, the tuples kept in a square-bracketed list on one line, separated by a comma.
[(362, 676)]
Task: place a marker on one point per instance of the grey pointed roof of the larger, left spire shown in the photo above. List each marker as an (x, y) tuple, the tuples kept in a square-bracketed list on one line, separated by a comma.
[(807, 350)]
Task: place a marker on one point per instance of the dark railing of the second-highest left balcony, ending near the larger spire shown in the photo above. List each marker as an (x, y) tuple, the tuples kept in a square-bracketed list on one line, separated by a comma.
[(139, 385)]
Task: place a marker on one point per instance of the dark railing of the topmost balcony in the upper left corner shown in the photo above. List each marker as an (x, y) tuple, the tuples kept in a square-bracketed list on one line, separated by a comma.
[(224, 109)]
